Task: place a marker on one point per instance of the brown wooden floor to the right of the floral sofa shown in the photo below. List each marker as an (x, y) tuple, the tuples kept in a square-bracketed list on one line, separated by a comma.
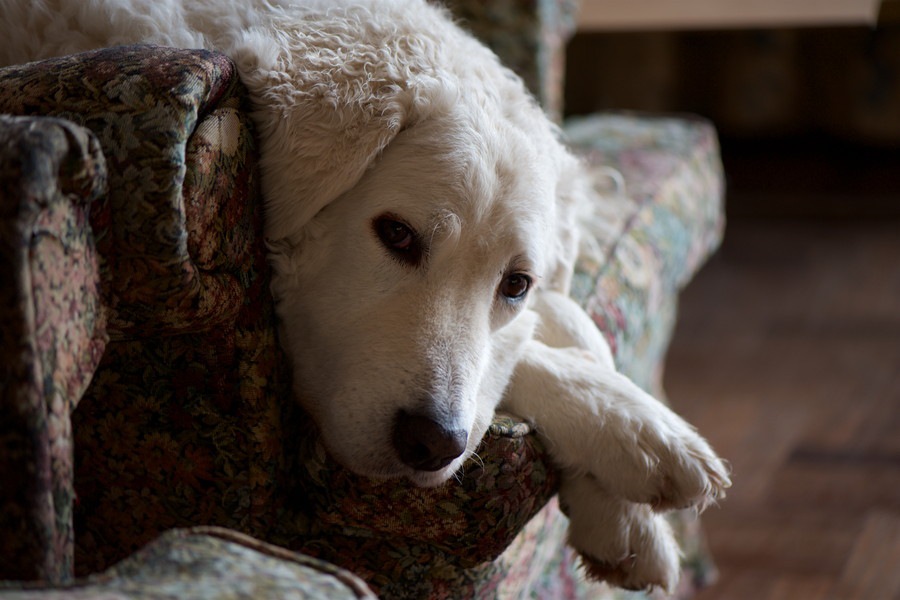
[(787, 357)]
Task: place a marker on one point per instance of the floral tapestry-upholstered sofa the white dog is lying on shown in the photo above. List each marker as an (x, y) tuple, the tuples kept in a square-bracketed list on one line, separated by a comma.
[(149, 443)]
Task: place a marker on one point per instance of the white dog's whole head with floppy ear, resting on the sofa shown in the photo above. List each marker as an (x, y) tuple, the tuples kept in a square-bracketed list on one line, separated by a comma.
[(416, 197)]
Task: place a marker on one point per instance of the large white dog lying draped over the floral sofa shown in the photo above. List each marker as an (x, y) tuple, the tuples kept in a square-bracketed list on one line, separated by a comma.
[(421, 216)]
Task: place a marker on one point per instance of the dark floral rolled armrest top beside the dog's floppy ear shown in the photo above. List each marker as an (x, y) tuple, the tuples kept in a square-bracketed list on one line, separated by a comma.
[(144, 109)]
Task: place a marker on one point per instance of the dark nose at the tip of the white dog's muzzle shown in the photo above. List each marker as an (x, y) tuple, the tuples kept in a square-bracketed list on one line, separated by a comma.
[(424, 444)]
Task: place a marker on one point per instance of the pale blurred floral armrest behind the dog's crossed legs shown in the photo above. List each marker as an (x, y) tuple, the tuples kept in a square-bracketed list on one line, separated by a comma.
[(651, 236)]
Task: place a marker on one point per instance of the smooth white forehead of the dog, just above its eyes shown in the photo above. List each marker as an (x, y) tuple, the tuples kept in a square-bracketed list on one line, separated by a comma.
[(489, 190)]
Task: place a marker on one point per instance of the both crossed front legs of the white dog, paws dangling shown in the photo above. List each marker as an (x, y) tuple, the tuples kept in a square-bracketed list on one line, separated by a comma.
[(623, 453)]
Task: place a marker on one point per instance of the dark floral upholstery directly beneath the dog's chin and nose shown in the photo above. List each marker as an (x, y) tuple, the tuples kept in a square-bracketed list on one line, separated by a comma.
[(411, 542)]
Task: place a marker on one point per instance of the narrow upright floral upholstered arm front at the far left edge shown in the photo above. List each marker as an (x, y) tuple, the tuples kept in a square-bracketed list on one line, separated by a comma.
[(51, 333)]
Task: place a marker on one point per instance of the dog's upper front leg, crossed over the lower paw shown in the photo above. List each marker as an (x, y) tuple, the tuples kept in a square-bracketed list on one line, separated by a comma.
[(596, 420)]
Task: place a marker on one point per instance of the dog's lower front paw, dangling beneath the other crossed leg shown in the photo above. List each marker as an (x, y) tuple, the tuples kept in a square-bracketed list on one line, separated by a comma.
[(624, 544)]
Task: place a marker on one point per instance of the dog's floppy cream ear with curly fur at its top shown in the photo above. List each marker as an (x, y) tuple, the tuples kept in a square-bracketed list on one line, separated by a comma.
[(331, 92)]
